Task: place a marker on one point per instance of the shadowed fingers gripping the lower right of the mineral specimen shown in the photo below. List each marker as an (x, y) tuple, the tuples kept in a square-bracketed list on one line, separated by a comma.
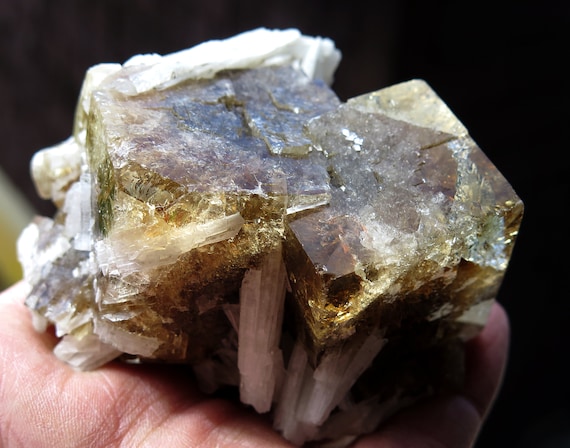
[(454, 421)]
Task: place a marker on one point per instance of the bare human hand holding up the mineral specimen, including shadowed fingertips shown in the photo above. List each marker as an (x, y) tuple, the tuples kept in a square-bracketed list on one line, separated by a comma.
[(44, 403)]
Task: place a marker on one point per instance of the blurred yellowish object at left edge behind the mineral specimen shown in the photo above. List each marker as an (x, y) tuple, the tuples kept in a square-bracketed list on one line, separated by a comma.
[(15, 214)]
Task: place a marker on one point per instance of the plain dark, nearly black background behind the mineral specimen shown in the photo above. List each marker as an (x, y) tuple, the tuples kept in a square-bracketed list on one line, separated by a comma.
[(500, 66)]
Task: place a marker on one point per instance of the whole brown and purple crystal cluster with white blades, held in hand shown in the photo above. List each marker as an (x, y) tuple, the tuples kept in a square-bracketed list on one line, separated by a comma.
[(221, 207)]
